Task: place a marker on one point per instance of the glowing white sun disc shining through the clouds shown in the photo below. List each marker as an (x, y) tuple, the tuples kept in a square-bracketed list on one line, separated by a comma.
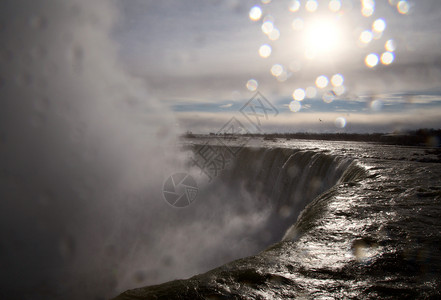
[(322, 37)]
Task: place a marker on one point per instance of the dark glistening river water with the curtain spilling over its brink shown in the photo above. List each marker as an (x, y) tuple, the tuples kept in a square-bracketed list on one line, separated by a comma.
[(371, 228)]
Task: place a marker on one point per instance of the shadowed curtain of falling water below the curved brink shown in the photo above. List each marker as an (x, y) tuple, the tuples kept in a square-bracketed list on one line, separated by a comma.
[(278, 183)]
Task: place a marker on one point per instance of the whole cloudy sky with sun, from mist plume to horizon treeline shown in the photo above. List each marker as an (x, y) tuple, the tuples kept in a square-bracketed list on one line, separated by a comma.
[(198, 56)]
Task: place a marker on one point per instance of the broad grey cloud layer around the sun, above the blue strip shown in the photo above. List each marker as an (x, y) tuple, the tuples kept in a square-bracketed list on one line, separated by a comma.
[(211, 67)]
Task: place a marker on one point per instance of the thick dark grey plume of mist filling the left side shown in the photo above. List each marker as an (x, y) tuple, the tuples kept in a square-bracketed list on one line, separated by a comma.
[(84, 151)]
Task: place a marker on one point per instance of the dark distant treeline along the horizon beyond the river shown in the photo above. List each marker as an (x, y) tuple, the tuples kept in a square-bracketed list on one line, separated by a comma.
[(420, 137)]
